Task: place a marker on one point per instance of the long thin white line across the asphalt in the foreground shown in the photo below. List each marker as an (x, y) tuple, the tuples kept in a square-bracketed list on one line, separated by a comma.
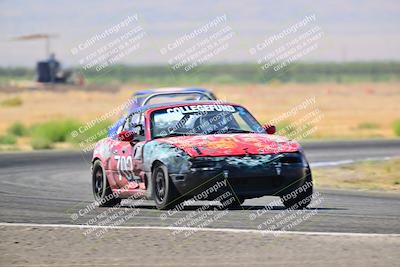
[(225, 230)]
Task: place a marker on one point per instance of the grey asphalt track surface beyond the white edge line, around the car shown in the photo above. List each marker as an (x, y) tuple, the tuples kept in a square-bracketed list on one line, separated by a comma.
[(48, 187)]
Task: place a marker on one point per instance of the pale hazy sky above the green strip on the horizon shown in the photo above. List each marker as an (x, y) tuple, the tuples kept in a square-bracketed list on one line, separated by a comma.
[(352, 30)]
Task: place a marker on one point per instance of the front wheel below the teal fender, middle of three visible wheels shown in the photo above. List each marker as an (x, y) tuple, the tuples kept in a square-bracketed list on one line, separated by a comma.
[(165, 193)]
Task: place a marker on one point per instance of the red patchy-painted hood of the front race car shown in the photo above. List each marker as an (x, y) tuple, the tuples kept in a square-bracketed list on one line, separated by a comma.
[(232, 144)]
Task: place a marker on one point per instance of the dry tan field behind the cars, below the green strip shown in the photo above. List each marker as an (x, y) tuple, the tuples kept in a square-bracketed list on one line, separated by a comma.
[(360, 110)]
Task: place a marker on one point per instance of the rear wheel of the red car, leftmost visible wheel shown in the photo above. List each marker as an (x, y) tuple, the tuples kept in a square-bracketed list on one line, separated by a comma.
[(101, 189)]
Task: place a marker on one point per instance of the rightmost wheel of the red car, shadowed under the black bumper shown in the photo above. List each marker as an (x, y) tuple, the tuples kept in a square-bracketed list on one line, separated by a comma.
[(301, 199)]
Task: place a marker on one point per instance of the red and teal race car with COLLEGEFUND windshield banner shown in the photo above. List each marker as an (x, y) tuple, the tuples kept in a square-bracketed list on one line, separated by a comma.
[(173, 152)]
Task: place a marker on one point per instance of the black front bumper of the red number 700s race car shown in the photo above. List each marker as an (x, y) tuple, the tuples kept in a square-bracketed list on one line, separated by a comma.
[(248, 177)]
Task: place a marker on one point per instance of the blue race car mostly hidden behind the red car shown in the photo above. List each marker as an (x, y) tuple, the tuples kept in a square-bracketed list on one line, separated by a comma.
[(161, 95)]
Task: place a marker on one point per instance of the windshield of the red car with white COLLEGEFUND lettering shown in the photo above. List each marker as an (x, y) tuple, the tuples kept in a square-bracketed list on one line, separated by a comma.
[(203, 119)]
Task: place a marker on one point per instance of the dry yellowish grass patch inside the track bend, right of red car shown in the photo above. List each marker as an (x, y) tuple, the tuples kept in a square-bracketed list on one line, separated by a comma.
[(374, 175)]
